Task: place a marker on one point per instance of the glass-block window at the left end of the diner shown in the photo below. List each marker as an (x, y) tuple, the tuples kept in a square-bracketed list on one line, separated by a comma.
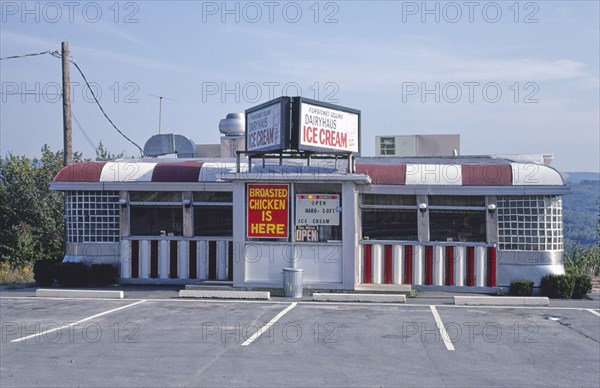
[(92, 216)]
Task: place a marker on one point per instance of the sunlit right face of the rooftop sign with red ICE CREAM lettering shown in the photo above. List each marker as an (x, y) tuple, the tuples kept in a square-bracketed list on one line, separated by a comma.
[(330, 129)]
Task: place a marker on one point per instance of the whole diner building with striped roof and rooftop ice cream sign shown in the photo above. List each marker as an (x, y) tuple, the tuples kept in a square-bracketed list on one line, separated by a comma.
[(350, 222)]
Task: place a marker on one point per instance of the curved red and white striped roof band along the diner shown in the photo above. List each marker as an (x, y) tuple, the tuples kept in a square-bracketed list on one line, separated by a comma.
[(467, 173)]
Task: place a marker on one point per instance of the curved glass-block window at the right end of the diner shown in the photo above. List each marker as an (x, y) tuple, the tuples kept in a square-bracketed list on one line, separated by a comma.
[(530, 223)]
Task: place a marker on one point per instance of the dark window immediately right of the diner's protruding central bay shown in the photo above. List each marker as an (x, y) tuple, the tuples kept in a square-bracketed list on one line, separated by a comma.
[(389, 217)]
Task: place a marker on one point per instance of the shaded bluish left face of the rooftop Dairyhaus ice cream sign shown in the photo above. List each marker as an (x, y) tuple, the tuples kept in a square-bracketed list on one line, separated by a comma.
[(264, 128)]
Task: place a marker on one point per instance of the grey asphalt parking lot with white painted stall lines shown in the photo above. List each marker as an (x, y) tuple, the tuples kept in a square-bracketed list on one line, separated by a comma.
[(175, 342)]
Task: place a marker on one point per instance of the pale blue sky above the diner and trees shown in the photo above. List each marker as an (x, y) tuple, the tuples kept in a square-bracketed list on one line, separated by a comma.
[(510, 77)]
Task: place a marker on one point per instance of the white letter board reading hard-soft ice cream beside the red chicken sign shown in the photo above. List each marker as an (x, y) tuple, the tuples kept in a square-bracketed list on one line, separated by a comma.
[(317, 209)]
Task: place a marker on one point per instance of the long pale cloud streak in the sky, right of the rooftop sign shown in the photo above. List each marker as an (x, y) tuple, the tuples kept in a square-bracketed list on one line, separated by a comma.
[(386, 66)]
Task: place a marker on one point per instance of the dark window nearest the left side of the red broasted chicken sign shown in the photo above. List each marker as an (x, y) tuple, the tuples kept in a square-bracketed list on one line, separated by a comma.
[(213, 213)]
